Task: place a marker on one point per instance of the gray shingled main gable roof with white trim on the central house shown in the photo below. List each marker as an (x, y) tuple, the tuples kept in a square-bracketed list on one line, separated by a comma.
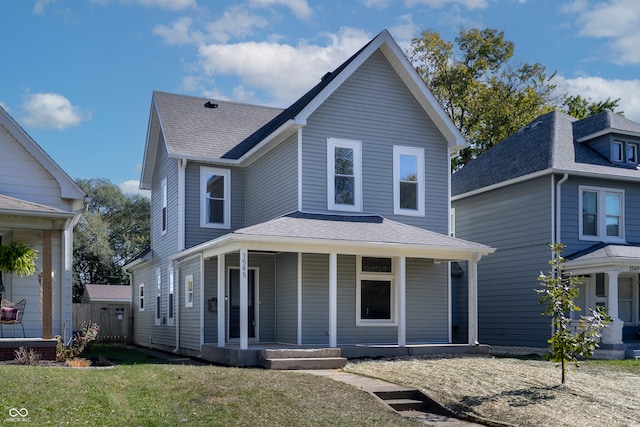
[(234, 131)]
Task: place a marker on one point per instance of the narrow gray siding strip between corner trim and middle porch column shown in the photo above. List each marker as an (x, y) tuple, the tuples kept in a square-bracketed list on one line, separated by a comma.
[(315, 299)]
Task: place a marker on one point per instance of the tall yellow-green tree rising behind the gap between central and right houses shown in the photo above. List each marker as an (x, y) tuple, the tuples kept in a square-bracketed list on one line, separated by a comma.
[(486, 95)]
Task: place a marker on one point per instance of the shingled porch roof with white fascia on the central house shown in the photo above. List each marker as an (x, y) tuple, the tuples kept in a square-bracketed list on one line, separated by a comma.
[(370, 235)]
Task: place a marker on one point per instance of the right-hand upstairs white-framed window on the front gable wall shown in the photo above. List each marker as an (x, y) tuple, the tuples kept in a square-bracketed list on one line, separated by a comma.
[(408, 181)]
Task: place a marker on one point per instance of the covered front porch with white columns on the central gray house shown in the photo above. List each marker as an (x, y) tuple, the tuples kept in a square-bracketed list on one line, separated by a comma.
[(364, 285)]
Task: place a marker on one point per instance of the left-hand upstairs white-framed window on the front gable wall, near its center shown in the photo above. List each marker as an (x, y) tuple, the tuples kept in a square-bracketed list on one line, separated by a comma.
[(344, 175)]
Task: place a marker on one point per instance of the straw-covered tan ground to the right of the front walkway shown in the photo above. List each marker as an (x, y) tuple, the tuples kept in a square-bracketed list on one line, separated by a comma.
[(519, 392)]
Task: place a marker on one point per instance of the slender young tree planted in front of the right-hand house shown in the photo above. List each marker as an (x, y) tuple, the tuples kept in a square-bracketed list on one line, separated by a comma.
[(558, 294)]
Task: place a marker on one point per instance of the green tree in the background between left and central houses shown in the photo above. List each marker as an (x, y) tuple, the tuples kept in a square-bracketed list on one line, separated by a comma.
[(113, 230)]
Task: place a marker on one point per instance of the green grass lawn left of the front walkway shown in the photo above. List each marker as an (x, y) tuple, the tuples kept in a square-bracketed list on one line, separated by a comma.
[(143, 391)]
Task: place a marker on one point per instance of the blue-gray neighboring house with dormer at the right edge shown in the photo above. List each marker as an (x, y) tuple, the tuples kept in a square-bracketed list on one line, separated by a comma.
[(558, 179)]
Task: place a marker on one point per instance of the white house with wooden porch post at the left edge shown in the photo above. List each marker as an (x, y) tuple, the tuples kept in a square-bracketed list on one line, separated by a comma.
[(39, 206)]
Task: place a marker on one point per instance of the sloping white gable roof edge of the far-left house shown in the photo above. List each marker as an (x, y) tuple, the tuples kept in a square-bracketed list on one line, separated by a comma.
[(68, 188)]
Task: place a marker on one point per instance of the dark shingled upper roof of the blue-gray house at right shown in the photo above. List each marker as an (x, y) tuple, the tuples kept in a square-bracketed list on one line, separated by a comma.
[(552, 143)]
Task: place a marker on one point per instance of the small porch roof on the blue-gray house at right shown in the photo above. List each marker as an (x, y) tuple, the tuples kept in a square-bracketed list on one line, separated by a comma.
[(605, 257)]
